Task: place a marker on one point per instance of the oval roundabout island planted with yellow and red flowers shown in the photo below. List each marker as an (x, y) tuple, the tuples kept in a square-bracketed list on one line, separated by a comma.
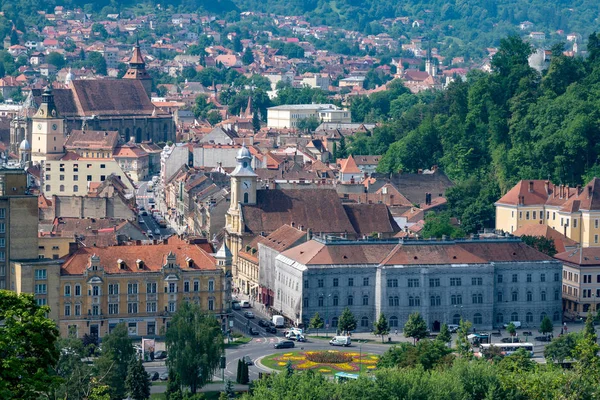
[(323, 361)]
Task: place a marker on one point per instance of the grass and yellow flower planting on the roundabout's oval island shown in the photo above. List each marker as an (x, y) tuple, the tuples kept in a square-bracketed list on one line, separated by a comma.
[(359, 362)]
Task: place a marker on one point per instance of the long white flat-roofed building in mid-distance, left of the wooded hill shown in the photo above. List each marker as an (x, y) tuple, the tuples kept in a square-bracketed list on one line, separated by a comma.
[(288, 116)]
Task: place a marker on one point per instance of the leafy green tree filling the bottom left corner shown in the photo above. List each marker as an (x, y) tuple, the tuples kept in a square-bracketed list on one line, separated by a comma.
[(27, 347)]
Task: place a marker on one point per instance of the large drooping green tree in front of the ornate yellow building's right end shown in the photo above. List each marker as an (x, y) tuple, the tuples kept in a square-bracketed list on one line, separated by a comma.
[(195, 344)]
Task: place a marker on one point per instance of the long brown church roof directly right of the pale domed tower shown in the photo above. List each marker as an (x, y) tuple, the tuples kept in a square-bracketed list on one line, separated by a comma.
[(317, 209)]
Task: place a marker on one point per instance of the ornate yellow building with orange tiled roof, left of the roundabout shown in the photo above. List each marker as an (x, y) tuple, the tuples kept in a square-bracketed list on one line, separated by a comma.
[(141, 285)]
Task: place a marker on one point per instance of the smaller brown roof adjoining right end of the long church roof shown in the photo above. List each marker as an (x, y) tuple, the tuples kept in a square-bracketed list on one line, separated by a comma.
[(369, 218)]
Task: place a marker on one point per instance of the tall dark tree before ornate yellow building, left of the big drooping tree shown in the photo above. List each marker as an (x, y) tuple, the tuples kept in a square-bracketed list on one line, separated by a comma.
[(111, 366)]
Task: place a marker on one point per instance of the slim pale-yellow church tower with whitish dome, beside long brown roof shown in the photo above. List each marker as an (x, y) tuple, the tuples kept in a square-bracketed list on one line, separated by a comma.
[(243, 191)]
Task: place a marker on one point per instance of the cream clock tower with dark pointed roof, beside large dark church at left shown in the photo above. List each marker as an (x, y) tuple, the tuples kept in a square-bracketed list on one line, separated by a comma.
[(47, 133)]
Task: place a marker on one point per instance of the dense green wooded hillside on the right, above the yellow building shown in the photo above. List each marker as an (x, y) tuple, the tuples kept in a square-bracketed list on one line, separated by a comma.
[(494, 129)]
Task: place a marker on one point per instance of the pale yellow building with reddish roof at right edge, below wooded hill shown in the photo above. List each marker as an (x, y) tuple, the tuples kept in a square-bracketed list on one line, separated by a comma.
[(573, 211)]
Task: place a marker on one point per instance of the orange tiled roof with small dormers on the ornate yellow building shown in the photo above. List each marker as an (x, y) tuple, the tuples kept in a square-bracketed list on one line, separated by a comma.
[(153, 257)]
